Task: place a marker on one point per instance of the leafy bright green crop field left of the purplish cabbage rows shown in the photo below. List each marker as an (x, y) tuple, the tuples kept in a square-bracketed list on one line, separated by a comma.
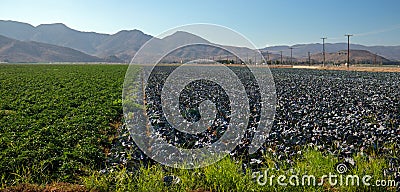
[(55, 119)]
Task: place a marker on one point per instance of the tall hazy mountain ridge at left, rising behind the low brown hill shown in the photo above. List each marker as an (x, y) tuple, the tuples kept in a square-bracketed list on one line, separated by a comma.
[(122, 44)]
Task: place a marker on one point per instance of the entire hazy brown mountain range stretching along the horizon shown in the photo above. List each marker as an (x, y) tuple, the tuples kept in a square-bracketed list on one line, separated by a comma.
[(21, 42)]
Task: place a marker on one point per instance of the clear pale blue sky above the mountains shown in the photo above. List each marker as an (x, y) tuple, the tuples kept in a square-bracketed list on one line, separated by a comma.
[(265, 23)]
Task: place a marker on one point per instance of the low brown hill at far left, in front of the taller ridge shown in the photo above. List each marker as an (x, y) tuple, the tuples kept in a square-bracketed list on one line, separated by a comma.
[(12, 50)]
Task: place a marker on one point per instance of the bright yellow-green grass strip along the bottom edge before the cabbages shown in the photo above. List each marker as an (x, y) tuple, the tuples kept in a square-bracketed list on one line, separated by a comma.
[(228, 175)]
